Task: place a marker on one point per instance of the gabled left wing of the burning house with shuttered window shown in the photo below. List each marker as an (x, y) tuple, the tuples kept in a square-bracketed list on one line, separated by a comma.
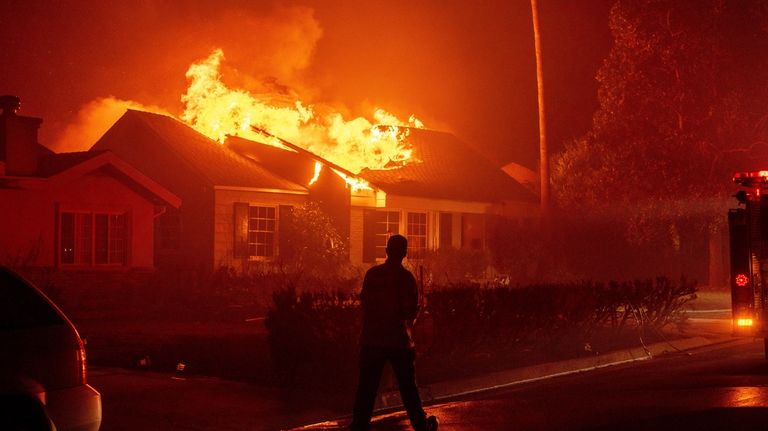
[(231, 206)]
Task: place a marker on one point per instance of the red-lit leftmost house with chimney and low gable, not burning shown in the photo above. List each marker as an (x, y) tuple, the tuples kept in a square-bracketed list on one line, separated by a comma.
[(72, 210)]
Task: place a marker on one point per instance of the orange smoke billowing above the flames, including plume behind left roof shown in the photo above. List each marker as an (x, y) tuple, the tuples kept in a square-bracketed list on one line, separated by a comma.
[(266, 51)]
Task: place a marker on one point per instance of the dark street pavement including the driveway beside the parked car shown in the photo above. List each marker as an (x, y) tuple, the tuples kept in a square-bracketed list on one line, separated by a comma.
[(722, 386)]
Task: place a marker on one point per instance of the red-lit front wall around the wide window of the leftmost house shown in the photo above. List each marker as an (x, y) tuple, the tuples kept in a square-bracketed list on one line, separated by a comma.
[(28, 226)]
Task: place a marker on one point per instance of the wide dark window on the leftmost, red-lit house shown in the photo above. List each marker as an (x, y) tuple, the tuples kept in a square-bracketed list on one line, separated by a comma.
[(93, 238)]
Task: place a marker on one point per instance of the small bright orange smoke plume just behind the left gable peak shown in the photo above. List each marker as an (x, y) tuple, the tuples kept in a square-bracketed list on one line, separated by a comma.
[(93, 119)]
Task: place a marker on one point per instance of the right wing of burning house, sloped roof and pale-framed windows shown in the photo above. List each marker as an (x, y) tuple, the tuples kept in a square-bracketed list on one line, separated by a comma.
[(449, 197)]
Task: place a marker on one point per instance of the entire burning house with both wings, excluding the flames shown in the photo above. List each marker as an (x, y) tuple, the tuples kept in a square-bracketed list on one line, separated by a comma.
[(237, 195)]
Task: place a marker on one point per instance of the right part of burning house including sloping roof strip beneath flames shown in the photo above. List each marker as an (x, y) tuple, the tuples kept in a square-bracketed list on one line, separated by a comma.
[(446, 196)]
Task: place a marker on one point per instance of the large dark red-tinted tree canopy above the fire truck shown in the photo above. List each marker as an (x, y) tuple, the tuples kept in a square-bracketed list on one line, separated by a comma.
[(683, 100)]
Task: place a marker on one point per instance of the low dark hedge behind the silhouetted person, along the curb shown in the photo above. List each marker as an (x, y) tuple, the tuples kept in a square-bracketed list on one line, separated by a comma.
[(313, 335)]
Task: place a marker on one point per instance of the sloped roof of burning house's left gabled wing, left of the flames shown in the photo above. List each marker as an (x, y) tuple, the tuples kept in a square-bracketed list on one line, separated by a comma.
[(137, 132)]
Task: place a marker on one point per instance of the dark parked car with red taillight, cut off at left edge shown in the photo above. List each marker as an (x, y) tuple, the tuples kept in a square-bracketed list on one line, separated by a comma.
[(43, 373)]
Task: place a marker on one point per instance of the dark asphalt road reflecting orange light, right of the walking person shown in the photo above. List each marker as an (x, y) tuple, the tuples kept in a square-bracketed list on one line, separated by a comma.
[(721, 387)]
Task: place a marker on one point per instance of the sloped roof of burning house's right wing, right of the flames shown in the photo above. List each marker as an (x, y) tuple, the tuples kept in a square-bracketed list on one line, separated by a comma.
[(447, 168)]
